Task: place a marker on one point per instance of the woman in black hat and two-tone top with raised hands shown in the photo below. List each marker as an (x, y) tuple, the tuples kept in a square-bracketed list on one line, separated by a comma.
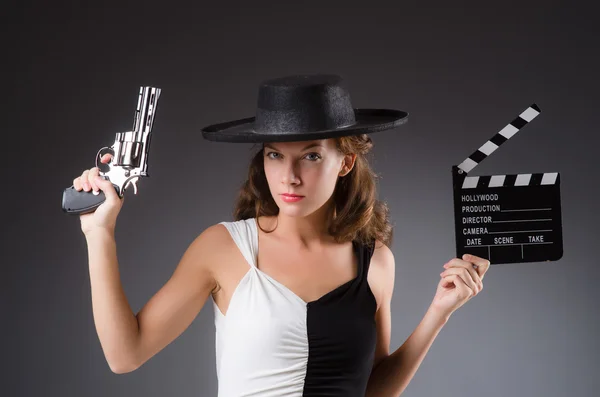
[(302, 279)]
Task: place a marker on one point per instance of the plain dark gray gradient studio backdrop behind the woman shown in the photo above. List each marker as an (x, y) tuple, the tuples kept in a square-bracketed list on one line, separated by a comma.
[(463, 70)]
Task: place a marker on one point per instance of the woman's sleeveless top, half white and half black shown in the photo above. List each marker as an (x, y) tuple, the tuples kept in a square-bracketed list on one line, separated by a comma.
[(271, 343)]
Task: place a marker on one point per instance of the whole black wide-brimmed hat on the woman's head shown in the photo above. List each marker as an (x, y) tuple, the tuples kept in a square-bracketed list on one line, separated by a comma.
[(304, 107)]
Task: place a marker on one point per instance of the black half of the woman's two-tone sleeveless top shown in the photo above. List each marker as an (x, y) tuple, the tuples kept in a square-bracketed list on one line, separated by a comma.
[(342, 336)]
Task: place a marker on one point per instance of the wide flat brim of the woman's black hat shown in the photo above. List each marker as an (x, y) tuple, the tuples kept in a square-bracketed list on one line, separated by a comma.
[(367, 121)]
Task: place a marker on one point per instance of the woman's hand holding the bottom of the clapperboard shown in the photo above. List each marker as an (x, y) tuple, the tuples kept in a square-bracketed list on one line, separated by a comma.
[(461, 281)]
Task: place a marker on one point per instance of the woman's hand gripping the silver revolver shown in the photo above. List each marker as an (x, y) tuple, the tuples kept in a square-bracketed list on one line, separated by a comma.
[(105, 216)]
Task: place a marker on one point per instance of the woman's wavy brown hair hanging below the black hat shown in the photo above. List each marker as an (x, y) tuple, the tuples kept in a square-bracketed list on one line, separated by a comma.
[(358, 214)]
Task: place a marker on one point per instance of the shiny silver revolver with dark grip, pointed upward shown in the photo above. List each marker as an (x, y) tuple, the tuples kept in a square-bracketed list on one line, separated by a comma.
[(129, 159)]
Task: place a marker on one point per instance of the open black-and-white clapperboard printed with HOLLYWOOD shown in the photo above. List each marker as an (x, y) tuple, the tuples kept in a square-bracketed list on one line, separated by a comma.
[(507, 218)]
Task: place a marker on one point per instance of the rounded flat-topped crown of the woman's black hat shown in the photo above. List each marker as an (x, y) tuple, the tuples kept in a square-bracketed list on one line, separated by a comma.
[(303, 103)]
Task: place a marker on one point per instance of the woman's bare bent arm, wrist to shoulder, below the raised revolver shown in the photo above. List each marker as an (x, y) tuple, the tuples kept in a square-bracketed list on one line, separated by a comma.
[(129, 340)]
